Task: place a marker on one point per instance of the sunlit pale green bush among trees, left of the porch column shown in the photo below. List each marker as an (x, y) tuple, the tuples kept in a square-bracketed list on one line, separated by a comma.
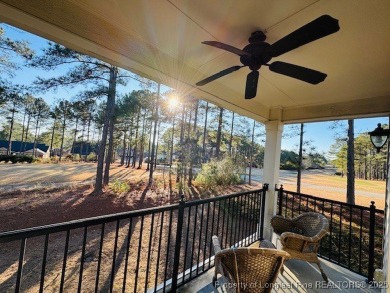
[(219, 173)]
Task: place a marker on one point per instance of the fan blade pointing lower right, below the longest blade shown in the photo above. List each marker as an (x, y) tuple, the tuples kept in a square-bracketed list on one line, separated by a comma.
[(298, 72)]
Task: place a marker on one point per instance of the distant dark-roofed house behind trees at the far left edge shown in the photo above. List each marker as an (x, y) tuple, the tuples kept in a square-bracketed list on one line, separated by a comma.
[(18, 147)]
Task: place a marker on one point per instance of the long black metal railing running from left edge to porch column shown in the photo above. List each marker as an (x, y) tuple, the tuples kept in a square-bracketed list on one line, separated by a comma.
[(157, 249)]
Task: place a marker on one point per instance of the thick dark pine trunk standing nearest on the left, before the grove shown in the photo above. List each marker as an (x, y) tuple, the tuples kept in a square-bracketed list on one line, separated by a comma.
[(111, 110)]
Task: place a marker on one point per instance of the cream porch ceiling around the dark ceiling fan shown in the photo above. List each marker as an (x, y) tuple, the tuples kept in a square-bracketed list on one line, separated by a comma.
[(161, 39)]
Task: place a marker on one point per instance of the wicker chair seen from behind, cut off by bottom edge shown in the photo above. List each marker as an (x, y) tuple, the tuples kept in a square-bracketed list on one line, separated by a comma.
[(247, 269)]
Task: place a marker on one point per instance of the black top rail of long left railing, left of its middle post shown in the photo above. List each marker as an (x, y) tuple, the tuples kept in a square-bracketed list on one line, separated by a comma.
[(87, 222)]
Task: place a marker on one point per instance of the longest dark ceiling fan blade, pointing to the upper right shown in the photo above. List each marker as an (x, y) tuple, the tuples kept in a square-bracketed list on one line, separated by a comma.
[(318, 28)]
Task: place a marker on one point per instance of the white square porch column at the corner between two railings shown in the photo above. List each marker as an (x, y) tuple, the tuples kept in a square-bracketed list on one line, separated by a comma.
[(273, 143)]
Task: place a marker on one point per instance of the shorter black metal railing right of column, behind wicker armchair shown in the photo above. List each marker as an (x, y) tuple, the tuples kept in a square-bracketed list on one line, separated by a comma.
[(355, 232)]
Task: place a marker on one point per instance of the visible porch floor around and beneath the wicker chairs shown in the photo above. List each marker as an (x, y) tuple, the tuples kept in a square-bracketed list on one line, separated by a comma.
[(298, 276)]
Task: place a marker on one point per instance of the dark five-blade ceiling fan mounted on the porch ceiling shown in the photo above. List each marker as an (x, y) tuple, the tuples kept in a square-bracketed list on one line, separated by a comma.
[(258, 53)]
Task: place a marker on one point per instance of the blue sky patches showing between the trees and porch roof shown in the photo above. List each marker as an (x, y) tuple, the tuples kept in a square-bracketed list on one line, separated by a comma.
[(320, 134)]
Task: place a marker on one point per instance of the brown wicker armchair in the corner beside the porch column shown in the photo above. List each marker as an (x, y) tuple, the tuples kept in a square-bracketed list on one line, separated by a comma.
[(301, 236)]
